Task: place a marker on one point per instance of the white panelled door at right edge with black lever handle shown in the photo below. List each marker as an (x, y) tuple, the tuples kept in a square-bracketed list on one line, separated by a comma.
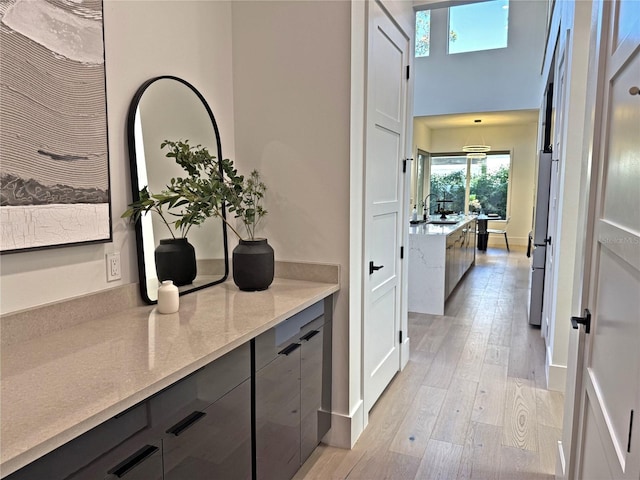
[(608, 442)]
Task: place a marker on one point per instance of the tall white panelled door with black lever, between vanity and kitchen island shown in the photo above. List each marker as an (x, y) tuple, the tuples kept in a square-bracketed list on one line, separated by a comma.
[(384, 149)]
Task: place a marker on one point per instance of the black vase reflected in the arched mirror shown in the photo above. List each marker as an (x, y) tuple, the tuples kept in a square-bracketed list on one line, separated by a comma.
[(176, 260)]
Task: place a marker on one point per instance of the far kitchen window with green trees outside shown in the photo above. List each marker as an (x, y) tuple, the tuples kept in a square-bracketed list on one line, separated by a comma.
[(470, 184)]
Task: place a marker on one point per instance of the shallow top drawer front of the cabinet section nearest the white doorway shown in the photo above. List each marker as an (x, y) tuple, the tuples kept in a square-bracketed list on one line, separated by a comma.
[(274, 340)]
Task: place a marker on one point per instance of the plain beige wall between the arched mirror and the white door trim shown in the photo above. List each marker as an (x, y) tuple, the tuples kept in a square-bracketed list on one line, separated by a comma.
[(291, 63)]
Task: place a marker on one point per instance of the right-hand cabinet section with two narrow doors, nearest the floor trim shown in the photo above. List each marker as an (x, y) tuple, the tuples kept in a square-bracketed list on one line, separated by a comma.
[(293, 393)]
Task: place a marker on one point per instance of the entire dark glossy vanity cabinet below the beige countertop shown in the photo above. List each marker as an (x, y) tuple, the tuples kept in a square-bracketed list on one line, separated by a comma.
[(256, 412)]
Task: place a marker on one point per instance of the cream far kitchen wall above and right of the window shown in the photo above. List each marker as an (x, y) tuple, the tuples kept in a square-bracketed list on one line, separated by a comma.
[(520, 140)]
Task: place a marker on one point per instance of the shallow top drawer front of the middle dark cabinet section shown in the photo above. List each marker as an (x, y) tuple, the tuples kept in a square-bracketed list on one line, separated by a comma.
[(202, 388)]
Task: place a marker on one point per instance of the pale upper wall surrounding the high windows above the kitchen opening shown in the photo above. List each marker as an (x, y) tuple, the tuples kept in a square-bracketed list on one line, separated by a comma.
[(491, 80)]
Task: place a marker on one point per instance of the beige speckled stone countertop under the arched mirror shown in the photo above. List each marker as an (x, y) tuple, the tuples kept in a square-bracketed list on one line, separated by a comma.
[(59, 386)]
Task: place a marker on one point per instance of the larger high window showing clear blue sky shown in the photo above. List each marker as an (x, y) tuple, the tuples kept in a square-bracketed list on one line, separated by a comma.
[(478, 26)]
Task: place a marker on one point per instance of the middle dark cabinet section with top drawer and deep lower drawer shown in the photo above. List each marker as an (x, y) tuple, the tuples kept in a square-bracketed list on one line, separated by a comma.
[(205, 421)]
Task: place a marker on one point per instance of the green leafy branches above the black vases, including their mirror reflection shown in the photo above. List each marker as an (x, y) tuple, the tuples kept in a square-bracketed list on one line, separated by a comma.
[(190, 200)]
